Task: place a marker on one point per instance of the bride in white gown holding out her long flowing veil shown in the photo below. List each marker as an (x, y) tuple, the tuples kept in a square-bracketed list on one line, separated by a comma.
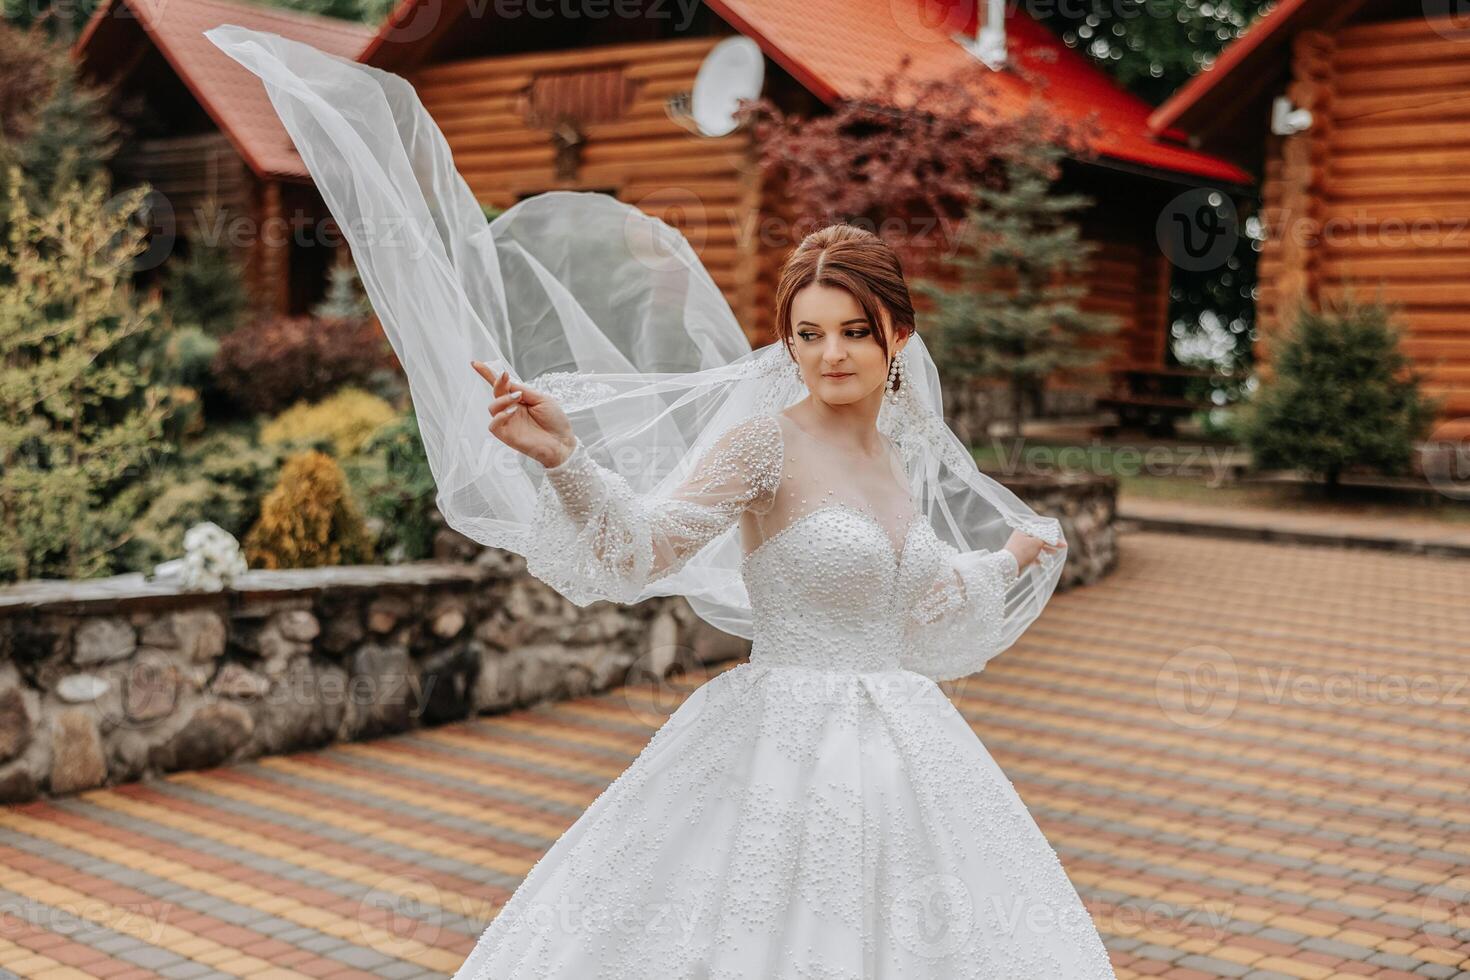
[(821, 812)]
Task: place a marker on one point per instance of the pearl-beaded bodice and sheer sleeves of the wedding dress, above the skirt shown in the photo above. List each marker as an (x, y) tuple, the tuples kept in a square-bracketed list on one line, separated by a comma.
[(842, 572)]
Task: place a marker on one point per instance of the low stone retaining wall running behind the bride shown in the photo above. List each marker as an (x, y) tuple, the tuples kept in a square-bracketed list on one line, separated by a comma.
[(115, 680)]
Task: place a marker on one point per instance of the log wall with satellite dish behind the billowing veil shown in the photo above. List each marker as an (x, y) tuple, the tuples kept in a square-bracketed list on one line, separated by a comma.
[(705, 187)]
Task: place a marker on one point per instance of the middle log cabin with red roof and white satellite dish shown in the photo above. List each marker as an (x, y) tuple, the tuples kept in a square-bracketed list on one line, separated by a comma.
[(539, 96)]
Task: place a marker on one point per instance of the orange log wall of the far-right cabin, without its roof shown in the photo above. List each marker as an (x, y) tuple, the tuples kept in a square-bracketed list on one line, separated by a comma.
[(1369, 198)]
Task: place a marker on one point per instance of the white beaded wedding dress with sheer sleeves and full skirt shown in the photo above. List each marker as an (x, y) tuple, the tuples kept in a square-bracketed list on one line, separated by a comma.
[(821, 812)]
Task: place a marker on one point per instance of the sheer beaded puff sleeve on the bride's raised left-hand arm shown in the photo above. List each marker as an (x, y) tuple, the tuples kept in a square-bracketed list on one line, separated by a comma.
[(596, 538)]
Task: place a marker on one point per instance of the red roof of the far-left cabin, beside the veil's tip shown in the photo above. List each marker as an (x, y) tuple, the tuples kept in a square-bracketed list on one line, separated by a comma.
[(229, 92)]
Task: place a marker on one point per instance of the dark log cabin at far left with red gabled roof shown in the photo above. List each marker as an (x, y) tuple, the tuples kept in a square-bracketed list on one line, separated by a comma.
[(204, 133)]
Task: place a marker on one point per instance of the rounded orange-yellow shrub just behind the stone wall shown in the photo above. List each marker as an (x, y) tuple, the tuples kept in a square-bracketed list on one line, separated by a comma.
[(309, 519)]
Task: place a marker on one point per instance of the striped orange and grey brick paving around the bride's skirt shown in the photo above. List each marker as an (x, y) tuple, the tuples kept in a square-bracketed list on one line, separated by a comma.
[(1250, 757)]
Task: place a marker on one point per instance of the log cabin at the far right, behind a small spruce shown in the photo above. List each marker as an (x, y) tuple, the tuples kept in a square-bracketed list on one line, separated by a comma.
[(1368, 195)]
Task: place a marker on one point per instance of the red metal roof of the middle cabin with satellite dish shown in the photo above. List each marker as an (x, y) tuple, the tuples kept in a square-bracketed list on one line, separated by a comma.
[(834, 46)]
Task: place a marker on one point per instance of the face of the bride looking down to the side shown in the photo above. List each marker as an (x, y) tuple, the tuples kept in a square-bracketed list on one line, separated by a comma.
[(837, 347)]
